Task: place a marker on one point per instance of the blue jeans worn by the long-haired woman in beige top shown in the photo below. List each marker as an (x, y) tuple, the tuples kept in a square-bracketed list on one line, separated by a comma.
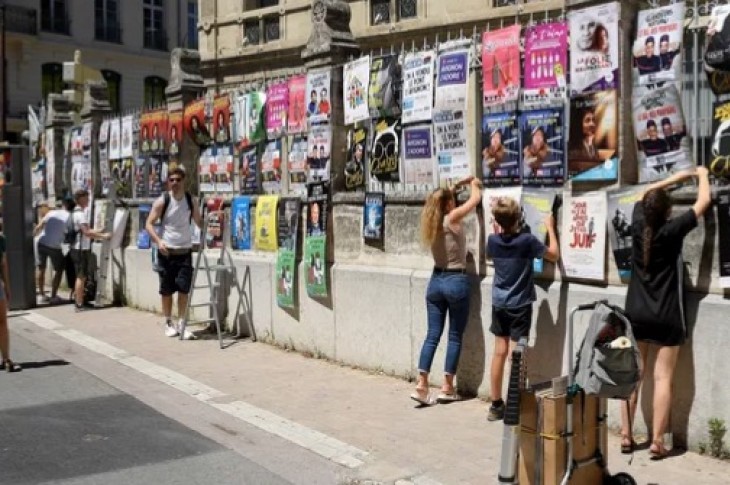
[(446, 292)]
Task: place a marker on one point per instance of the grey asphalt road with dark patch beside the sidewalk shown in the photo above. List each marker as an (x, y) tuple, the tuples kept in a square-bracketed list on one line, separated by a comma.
[(60, 424)]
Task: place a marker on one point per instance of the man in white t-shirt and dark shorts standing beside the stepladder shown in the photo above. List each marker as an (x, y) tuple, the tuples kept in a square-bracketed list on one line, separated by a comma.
[(175, 209)]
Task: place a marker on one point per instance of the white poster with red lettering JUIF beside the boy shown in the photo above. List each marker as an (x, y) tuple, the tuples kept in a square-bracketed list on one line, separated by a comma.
[(583, 235)]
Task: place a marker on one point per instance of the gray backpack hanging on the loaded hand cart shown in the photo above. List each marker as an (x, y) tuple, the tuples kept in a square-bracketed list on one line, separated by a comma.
[(601, 370)]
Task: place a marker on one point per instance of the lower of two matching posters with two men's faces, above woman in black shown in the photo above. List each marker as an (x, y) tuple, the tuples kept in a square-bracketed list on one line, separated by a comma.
[(660, 155)]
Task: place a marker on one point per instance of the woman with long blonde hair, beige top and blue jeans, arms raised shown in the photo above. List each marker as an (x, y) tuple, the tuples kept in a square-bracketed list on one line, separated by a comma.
[(449, 288)]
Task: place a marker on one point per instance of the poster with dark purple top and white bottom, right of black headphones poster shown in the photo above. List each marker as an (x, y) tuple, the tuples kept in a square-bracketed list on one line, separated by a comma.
[(418, 155)]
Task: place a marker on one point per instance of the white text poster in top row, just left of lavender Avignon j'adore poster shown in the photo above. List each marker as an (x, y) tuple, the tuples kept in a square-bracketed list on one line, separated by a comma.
[(418, 71)]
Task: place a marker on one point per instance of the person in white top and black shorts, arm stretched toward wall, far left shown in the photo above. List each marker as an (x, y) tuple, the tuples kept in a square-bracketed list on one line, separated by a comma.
[(79, 235)]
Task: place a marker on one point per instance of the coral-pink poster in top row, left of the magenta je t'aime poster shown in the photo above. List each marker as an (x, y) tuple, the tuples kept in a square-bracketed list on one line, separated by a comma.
[(501, 65)]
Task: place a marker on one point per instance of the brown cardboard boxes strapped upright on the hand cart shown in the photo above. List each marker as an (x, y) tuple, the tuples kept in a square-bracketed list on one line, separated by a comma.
[(539, 410)]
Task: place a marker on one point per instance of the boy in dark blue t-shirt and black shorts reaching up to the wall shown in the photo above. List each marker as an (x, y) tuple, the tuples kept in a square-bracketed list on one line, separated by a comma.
[(513, 288)]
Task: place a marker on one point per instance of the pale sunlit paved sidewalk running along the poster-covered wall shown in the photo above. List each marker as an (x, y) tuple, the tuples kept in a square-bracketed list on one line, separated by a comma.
[(390, 440)]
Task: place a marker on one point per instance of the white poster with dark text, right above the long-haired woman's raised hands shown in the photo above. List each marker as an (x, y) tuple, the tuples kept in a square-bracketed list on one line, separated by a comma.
[(452, 152)]
